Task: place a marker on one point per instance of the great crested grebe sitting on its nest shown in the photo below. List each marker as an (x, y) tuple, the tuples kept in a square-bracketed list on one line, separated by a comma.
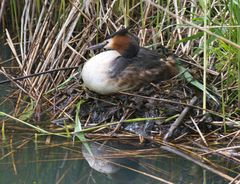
[(126, 66)]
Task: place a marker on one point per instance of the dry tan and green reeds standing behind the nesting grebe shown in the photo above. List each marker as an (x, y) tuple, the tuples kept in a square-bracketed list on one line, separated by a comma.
[(55, 36)]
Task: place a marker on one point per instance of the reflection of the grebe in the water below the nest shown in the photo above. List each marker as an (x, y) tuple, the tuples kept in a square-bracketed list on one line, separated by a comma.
[(109, 160)]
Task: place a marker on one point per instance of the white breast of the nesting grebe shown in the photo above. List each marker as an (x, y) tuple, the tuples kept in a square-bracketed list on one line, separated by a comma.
[(95, 73)]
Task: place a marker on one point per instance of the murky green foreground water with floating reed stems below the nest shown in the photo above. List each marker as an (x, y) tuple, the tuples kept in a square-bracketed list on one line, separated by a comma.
[(26, 161)]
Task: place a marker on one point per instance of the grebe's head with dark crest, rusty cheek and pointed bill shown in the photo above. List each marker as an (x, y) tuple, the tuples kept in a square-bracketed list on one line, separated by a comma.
[(122, 41)]
